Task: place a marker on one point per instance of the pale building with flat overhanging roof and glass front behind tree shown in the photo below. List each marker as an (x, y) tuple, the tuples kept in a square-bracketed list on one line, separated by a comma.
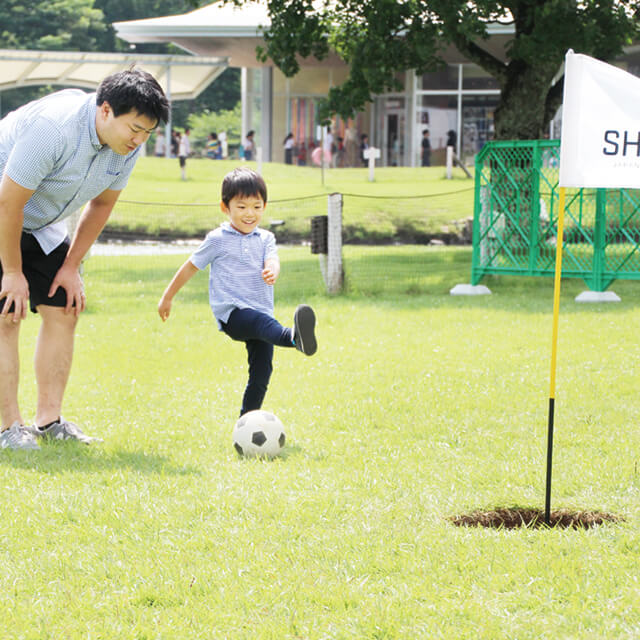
[(461, 97)]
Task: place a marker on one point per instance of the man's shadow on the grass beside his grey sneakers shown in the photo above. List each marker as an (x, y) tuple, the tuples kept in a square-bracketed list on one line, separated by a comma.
[(54, 458)]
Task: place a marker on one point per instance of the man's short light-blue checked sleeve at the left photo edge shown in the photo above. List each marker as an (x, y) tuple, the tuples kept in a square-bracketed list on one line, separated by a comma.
[(38, 148)]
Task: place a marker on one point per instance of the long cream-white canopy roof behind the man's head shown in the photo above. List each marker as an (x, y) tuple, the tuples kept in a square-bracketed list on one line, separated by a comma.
[(181, 77)]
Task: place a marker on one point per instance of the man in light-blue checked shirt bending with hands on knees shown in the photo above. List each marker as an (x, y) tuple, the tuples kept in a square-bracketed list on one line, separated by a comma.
[(58, 154)]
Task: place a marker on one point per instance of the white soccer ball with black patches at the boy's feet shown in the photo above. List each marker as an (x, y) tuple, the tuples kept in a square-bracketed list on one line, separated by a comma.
[(258, 433)]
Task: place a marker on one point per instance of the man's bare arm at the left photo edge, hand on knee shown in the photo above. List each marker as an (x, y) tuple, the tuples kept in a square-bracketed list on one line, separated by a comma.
[(13, 288)]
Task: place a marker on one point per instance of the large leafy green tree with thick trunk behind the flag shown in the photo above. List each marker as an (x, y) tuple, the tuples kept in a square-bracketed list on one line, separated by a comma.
[(380, 38)]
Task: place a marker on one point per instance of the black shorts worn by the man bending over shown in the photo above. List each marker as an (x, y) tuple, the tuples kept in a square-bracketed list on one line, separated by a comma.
[(40, 269)]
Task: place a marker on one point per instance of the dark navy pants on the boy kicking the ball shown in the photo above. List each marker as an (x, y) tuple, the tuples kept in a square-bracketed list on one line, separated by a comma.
[(260, 332)]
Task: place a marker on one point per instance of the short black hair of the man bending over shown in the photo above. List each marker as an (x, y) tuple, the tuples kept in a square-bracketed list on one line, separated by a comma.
[(134, 90)]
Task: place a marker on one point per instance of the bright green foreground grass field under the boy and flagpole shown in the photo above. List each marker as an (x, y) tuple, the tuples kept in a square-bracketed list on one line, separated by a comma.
[(415, 408)]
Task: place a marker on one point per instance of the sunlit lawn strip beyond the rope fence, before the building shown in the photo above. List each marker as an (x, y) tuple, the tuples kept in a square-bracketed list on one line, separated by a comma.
[(400, 200)]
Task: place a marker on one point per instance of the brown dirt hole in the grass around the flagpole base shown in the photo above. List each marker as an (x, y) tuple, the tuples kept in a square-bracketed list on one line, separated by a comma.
[(522, 517)]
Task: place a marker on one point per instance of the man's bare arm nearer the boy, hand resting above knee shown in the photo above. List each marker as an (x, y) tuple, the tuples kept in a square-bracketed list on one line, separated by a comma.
[(91, 223)]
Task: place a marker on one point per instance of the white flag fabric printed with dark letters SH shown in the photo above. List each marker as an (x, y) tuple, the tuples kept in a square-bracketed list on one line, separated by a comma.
[(600, 142)]
